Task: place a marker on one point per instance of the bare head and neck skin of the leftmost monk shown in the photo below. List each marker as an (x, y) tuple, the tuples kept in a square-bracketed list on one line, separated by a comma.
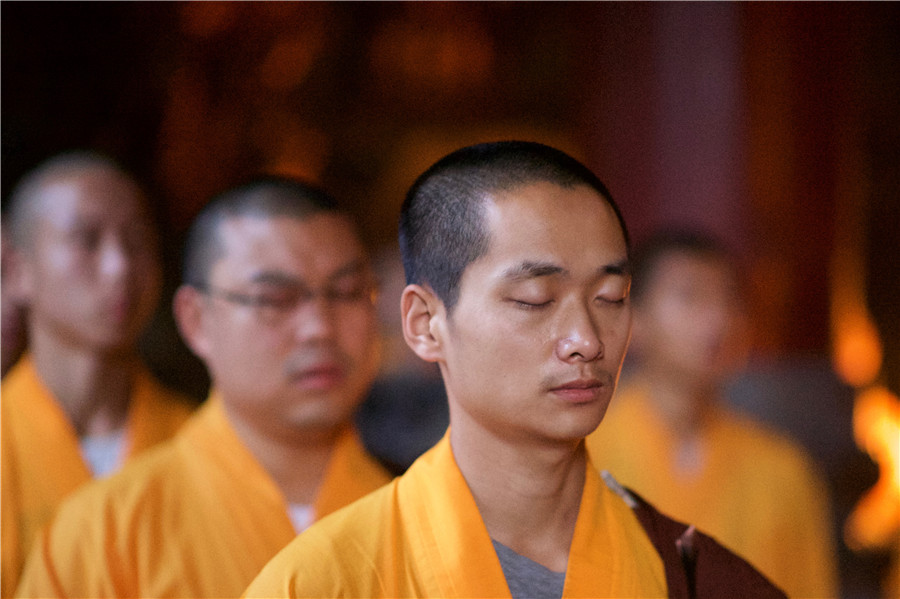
[(88, 273)]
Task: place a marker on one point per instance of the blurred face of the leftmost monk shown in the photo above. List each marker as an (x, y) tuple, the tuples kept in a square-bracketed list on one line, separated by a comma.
[(91, 269)]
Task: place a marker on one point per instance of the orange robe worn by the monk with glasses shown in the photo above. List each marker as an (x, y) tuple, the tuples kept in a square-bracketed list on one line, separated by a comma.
[(197, 517)]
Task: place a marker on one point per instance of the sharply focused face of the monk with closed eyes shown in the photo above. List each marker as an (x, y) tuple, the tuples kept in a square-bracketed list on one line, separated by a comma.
[(534, 346)]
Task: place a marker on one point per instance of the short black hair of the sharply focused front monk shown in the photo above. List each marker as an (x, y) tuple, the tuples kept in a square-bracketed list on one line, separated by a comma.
[(442, 221)]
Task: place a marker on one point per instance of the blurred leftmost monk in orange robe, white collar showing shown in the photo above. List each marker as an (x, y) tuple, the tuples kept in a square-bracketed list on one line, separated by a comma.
[(83, 263)]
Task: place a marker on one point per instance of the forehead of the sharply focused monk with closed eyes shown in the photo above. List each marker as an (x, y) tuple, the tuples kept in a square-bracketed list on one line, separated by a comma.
[(574, 227)]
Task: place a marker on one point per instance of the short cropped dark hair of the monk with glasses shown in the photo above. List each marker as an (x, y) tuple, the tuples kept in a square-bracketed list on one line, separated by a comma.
[(263, 197)]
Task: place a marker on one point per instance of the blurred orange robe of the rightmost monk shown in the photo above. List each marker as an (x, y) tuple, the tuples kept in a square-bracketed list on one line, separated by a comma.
[(755, 492)]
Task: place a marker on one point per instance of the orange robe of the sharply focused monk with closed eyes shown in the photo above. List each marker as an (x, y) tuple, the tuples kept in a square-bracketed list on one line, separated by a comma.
[(423, 536)]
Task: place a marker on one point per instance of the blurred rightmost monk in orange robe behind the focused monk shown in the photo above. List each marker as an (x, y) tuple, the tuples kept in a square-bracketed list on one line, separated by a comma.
[(670, 437)]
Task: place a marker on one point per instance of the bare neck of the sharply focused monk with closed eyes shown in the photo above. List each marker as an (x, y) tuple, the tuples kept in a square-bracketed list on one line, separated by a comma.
[(528, 494)]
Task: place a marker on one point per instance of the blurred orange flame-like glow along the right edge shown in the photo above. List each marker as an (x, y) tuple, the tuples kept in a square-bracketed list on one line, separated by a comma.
[(858, 356)]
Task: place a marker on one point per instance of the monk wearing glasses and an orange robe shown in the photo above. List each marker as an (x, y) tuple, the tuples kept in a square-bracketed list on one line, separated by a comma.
[(278, 302)]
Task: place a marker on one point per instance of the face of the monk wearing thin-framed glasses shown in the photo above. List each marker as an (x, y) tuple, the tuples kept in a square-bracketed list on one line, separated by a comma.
[(302, 367)]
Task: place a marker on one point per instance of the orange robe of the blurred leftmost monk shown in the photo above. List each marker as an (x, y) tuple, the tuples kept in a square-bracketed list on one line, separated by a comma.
[(41, 456)]
